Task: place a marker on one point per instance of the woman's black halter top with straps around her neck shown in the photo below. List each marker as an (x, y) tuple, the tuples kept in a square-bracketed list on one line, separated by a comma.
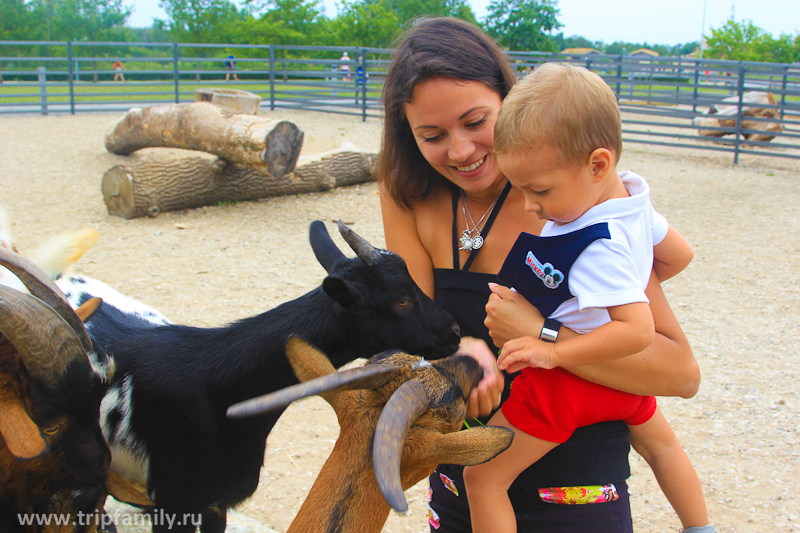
[(594, 455)]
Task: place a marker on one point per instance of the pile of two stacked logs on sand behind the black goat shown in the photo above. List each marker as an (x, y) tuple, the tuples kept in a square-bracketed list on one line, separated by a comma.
[(255, 158)]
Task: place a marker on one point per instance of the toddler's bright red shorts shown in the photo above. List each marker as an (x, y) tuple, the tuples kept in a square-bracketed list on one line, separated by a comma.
[(552, 404)]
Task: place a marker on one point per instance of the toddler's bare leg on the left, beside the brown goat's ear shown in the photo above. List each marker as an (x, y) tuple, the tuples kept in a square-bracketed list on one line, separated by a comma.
[(487, 484)]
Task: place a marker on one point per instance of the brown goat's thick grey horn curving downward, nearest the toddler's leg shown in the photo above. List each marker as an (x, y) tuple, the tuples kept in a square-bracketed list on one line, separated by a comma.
[(401, 411)]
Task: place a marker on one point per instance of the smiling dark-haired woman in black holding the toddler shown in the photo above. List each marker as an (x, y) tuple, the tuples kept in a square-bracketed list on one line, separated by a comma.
[(449, 212)]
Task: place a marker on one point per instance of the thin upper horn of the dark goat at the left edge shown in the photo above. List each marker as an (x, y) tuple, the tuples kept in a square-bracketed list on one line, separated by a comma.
[(43, 288)]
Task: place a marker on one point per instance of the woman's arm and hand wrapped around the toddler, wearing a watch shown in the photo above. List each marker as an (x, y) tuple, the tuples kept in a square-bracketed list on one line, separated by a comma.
[(666, 368)]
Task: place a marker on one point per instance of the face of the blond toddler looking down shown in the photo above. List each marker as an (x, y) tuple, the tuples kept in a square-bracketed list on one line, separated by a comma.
[(552, 190)]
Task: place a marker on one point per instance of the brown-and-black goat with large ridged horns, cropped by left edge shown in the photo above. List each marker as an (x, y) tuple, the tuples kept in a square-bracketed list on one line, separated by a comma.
[(53, 458)]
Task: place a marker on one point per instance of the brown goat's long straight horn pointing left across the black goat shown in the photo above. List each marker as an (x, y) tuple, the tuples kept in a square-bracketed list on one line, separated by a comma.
[(364, 377)]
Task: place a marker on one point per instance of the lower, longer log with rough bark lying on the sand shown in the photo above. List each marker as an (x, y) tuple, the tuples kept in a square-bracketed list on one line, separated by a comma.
[(147, 188)]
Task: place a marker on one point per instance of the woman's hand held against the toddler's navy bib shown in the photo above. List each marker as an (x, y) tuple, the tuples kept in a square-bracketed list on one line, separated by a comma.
[(510, 316)]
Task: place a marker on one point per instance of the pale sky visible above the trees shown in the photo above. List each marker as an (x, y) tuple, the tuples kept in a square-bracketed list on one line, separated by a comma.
[(652, 21)]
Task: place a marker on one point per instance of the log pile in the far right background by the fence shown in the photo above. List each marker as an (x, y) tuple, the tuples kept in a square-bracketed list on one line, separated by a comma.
[(724, 116)]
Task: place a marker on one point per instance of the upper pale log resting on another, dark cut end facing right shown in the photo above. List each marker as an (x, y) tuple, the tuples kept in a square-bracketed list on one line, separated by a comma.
[(253, 141)]
